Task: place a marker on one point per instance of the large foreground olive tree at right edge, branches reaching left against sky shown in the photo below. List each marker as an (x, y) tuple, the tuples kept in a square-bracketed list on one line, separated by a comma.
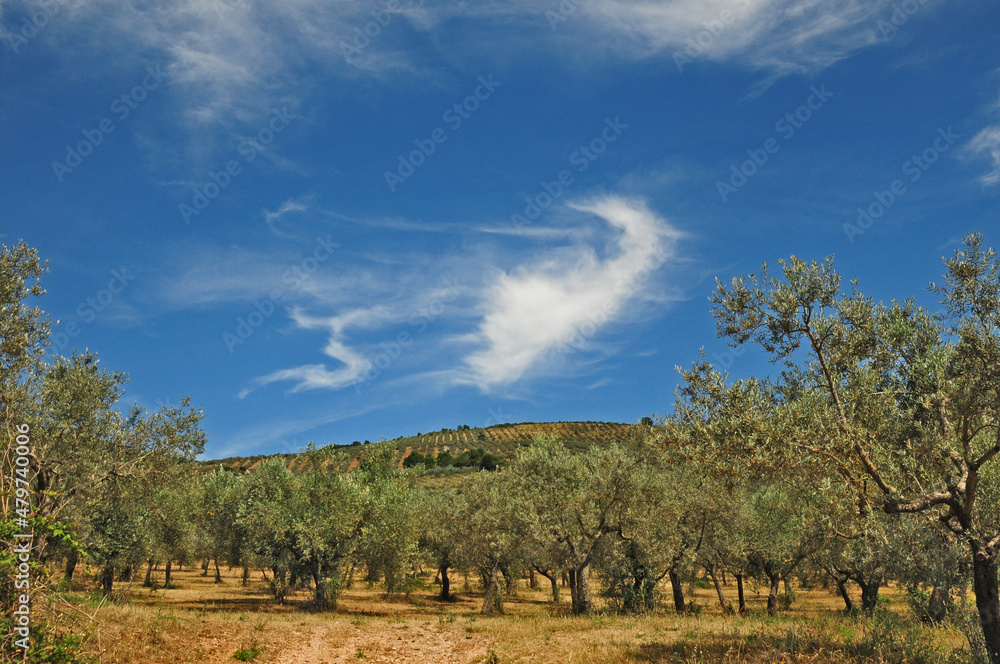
[(910, 400)]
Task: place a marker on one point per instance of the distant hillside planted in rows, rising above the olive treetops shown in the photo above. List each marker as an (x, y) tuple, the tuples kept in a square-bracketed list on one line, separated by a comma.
[(501, 440)]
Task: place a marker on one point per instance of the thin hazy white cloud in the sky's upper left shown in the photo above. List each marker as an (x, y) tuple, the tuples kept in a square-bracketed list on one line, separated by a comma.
[(227, 61)]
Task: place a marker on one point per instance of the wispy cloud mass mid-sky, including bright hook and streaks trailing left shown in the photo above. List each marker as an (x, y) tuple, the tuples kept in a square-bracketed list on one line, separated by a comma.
[(577, 283)]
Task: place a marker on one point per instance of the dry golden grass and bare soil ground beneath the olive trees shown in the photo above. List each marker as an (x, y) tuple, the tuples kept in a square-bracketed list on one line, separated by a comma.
[(201, 621)]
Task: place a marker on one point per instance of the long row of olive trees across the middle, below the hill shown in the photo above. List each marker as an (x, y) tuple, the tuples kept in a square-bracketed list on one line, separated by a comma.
[(640, 515)]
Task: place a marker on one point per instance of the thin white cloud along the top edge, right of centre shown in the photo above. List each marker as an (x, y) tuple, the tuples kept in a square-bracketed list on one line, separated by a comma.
[(774, 35)]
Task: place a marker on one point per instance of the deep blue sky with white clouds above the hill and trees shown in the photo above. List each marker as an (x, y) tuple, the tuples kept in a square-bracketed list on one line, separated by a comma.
[(339, 221)]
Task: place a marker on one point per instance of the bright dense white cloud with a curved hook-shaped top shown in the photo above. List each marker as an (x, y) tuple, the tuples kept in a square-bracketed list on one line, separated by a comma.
[(567, 297)]
